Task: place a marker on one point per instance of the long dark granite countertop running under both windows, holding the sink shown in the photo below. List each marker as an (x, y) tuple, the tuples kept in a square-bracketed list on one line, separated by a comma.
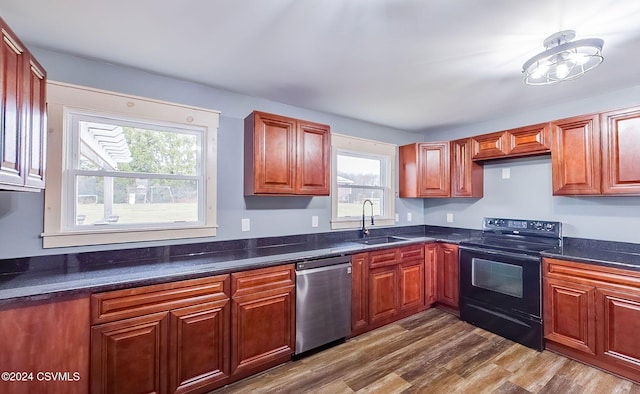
[(52, 276)]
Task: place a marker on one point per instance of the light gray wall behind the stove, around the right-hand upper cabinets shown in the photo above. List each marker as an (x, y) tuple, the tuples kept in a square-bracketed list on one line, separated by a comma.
[(527, 194)]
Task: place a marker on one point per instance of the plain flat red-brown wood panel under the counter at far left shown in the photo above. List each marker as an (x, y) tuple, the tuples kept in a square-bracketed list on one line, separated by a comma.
[(46, 336)]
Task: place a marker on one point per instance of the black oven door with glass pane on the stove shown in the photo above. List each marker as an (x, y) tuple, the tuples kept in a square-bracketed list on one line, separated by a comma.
[(506, 281)]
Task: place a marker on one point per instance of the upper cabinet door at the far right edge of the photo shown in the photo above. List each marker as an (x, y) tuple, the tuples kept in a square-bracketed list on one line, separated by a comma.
[(621, 152)]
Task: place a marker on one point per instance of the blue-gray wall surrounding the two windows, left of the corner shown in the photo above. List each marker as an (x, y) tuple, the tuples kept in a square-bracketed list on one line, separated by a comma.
[(21, 214)]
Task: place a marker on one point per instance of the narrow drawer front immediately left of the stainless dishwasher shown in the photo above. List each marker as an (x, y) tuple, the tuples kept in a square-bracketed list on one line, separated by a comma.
[(253, 281)]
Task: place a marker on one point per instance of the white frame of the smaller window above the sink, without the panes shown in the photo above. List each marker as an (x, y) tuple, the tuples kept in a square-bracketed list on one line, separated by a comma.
[(347, 144)]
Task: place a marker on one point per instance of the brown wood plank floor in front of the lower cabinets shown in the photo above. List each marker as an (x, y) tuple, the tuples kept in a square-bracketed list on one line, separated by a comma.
[(432, 352)]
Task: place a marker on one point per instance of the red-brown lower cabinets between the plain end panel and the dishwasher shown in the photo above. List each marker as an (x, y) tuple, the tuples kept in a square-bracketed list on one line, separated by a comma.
[(191, 336)]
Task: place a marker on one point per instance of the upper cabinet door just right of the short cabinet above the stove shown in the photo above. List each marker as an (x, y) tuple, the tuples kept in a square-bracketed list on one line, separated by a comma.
[(575, 156)]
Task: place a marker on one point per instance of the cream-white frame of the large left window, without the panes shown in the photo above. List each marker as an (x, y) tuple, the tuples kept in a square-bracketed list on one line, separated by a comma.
[(65, 99)]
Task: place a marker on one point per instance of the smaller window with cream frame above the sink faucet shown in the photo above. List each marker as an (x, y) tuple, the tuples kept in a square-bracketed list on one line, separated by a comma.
[(362, 170)]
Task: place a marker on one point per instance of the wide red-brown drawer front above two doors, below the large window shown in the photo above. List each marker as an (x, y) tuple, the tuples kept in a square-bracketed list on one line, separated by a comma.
[(122, 304)]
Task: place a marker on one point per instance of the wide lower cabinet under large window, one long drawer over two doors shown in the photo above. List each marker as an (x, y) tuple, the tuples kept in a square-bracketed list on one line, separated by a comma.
[(163, 338)]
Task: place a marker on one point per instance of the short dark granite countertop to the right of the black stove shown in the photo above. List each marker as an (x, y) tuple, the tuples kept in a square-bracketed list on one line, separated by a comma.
[(612, 254)]
